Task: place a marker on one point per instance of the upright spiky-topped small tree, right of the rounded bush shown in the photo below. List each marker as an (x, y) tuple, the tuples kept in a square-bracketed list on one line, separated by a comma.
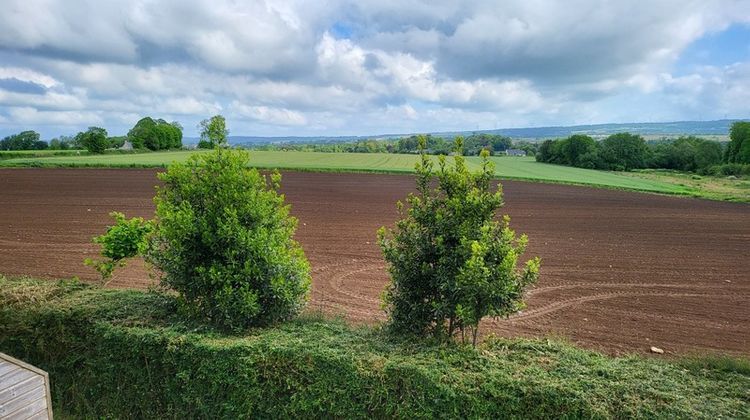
[(451, 263)]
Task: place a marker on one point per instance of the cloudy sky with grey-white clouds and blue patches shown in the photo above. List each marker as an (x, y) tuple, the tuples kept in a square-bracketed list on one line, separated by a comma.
[(328, 67)]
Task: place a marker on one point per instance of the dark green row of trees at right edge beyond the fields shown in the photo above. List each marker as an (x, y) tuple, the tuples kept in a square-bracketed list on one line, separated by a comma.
[(626, 151)]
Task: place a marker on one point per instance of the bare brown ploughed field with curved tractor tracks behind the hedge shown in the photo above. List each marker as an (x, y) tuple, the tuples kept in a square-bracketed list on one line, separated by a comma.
[(621, 271)]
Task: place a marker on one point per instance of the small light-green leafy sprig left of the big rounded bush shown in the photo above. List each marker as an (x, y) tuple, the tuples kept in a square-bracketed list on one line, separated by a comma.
[(125, 239)]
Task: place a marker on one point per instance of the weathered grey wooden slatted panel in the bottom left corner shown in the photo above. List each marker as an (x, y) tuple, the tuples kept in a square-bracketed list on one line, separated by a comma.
[(24, 390)]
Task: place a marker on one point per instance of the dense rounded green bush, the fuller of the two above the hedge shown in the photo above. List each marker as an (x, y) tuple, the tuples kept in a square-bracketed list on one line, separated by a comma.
[(223, 240)]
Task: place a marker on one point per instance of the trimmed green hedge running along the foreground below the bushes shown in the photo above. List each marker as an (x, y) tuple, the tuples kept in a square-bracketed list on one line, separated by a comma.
[(125, 354)]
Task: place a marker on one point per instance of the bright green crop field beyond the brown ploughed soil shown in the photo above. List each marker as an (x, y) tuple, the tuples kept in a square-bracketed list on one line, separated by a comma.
[(505, 167)]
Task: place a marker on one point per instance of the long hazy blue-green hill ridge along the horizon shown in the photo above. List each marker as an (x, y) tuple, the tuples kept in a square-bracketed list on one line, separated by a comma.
[(705, 128)]
